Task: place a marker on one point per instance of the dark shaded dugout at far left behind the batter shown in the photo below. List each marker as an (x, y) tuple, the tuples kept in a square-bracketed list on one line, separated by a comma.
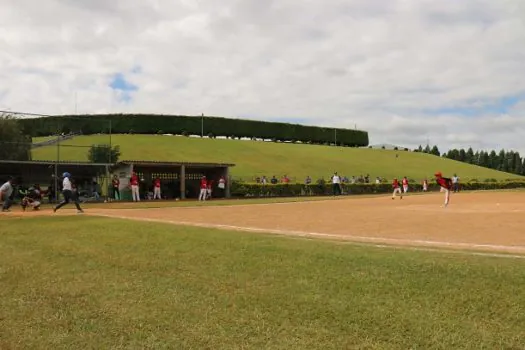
[(29, 173)]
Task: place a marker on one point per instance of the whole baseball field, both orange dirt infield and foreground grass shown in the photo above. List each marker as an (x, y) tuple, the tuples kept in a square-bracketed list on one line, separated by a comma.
[(353, 272)]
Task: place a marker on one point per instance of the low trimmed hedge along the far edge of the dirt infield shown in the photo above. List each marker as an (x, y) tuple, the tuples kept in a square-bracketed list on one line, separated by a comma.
[(294, 190)]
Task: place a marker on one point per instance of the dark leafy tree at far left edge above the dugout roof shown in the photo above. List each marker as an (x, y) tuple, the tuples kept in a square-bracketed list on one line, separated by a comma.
[(14, 144)]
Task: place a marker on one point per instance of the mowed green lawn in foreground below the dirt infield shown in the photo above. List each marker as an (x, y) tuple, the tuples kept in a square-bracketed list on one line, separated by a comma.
[(85, 282)]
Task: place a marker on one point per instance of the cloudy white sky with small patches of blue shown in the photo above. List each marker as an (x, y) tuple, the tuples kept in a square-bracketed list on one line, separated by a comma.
[(407, 71)]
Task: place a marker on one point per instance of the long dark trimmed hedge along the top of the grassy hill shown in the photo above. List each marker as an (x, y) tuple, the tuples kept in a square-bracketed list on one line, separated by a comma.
[(213, 126)]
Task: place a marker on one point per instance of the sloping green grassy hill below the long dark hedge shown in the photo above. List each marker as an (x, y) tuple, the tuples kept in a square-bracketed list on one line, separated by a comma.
[(256, 158)]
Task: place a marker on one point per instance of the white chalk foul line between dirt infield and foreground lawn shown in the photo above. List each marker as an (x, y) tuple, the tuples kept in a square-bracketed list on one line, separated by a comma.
[(406, 243)]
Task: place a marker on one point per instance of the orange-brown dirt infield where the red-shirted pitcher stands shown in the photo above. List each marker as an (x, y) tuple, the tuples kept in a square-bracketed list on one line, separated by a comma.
[(490, 221)]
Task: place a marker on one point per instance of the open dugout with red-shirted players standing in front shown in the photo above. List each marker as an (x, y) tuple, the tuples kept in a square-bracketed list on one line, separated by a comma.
[(178, 179)]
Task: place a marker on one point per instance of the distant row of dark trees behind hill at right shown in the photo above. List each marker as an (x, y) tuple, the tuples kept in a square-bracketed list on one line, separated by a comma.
[(507, 161)]
